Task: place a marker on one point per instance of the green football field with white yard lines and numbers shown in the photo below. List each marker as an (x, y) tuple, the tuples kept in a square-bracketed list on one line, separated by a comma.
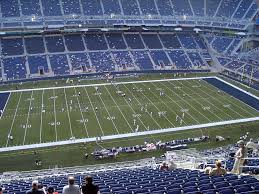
[(99, 110)]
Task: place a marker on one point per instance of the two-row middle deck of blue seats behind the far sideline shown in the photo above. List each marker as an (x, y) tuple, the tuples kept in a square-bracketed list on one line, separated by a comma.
[(79, 52)]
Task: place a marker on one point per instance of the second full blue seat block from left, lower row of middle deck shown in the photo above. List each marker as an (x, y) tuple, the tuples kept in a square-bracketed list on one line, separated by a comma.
[(37, 63)]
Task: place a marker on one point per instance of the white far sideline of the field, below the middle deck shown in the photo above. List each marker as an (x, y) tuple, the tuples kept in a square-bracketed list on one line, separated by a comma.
[(107, 84)]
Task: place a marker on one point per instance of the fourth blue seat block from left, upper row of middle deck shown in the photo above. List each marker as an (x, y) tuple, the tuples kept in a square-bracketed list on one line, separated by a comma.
[(74, 42)]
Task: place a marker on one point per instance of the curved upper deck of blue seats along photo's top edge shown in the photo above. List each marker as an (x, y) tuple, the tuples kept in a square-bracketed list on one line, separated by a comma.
[(225, 13)]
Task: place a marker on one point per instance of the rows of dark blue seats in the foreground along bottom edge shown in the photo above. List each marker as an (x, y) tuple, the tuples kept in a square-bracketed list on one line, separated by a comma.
[(147, 180)]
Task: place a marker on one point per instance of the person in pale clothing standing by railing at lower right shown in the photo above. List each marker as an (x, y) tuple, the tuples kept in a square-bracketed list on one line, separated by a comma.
[(240, 156)]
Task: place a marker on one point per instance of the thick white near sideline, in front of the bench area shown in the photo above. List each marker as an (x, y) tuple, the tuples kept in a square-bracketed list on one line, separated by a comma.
[(128, 135)]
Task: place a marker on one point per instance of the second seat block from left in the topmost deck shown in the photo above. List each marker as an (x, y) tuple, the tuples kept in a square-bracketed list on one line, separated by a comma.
[(30, 7)]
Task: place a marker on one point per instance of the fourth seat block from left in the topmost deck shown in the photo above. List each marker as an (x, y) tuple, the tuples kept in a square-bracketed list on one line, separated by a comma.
[(71, 7)]
